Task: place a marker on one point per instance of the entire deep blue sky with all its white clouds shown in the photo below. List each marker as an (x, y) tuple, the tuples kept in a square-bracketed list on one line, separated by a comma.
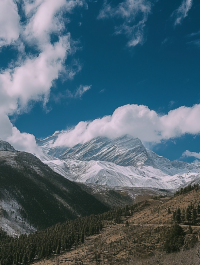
[(94, 68)]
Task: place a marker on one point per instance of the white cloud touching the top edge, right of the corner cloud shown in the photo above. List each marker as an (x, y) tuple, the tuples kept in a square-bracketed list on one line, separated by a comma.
[(45, 18)]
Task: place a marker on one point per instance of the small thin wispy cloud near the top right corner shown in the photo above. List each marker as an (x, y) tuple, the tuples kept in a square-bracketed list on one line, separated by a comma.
[(182, 11)]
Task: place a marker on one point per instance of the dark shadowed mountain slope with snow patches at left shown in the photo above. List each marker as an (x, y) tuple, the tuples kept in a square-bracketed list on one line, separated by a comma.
[(32, 196)]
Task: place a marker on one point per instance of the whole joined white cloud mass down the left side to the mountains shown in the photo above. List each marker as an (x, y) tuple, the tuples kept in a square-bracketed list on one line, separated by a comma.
[(31, 77)]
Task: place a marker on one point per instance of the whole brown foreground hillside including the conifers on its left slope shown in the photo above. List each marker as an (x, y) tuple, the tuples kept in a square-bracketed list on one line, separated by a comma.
[(135, 234)]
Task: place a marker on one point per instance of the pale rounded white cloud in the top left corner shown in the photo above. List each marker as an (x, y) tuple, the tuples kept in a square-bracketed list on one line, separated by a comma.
[(9, 22)]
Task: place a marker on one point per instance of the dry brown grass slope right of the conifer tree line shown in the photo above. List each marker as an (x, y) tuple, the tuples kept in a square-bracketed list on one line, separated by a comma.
[(141, 242)]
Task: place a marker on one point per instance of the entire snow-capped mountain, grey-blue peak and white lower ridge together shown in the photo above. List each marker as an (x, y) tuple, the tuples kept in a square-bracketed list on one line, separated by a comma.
[(123, 161)]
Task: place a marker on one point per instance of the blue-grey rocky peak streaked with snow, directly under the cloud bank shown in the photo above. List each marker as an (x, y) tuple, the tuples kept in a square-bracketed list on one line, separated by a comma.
[(125, 151)]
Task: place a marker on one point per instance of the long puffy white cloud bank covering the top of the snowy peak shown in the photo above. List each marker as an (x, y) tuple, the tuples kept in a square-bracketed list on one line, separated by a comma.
[(138, 121)]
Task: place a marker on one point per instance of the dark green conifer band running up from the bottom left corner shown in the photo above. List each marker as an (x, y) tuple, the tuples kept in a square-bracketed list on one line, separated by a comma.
[(58, 238)]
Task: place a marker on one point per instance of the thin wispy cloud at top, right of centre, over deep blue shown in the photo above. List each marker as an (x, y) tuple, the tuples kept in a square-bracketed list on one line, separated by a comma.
[(134, 13)]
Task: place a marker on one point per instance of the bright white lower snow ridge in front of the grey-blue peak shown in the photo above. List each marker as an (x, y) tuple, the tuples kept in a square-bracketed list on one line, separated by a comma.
[(112, 175)]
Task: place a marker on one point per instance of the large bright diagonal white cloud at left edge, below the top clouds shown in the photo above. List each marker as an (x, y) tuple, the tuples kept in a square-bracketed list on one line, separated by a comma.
[(34, 77)]
